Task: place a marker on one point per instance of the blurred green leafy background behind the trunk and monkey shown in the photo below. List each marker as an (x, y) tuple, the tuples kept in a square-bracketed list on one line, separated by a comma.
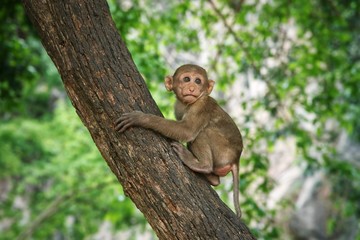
[(288, 72)]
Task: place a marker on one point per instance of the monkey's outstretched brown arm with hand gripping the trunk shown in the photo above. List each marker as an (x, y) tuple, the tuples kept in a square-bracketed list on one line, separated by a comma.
[(178, 130)]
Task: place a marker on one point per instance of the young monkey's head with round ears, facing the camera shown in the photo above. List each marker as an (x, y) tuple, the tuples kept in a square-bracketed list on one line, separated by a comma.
[(189, 83)]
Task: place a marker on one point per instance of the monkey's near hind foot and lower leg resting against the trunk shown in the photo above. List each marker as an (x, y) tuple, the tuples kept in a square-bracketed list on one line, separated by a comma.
[(191, 161)]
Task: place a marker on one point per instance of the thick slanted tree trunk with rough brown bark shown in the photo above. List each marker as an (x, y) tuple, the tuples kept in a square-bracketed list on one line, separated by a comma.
[(102, 82)]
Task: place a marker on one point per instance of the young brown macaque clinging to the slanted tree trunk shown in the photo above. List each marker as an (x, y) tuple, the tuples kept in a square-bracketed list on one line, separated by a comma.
[(213, 140)]
